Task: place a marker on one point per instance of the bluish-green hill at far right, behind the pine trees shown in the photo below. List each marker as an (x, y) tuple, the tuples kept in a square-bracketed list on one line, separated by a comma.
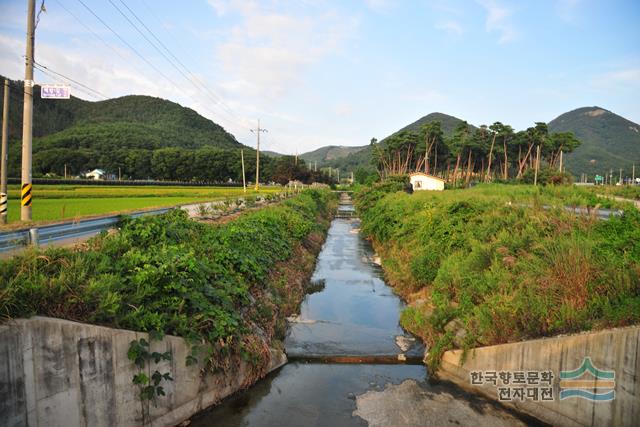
[(609, 141)]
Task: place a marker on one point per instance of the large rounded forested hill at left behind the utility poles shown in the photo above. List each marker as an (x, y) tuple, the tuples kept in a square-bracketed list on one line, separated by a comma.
[(85, 134)]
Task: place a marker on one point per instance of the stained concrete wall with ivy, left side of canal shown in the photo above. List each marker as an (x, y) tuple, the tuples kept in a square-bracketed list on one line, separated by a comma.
[(60, 373)]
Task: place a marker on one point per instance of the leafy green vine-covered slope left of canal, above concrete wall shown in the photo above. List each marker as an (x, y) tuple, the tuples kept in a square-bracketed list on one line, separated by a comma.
[(217, 286)]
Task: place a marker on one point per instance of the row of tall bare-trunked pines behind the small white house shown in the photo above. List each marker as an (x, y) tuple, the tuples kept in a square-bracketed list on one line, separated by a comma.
[(487, 153)]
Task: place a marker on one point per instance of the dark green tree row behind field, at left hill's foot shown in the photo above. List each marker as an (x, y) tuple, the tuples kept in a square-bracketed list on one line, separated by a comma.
[(206, 164)]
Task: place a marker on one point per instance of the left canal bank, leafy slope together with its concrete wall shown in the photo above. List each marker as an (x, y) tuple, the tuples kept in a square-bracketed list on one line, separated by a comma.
[(57, 372)]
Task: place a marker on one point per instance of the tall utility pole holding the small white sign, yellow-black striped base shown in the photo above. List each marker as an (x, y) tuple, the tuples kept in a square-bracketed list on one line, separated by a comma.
[(27, 116)]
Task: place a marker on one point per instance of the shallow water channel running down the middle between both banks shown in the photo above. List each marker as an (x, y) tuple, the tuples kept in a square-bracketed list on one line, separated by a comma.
[(350, 362)]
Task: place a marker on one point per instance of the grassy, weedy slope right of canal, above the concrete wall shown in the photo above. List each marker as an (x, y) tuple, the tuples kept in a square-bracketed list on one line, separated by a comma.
[(489, 265)]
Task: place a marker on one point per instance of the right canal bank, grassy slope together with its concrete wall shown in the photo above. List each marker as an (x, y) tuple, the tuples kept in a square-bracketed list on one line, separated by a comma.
[(477, 268)]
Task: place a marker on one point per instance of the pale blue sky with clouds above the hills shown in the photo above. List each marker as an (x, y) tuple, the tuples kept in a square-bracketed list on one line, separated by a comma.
[(320, 72)]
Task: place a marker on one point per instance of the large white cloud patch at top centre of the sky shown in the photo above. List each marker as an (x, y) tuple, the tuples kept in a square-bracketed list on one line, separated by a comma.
[(268, 52)]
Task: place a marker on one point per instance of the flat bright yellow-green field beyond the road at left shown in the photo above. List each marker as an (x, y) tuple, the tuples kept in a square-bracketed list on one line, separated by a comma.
[(57, 202)]
